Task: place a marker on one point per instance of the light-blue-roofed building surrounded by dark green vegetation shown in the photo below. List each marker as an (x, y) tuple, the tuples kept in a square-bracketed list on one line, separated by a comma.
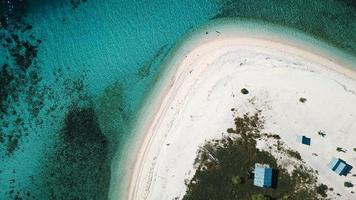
[(263, 176)]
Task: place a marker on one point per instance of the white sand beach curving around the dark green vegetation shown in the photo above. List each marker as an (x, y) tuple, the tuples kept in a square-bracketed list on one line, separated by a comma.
[(204, 83)]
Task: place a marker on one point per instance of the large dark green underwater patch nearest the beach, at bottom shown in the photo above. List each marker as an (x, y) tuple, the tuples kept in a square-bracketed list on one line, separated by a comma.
[(79, 168)]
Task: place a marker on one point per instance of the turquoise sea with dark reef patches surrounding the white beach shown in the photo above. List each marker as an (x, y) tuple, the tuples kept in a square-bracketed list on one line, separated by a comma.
[(71, 110)]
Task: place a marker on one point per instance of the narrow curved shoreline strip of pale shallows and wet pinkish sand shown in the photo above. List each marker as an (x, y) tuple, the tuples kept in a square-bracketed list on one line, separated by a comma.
[(159, 97)]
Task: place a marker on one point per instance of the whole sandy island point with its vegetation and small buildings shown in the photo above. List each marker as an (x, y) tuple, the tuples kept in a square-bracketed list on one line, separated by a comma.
[(291, 104)]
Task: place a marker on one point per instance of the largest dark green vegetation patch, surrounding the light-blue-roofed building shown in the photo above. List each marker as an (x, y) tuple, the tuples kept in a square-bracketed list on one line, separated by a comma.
[(224, 168)]
